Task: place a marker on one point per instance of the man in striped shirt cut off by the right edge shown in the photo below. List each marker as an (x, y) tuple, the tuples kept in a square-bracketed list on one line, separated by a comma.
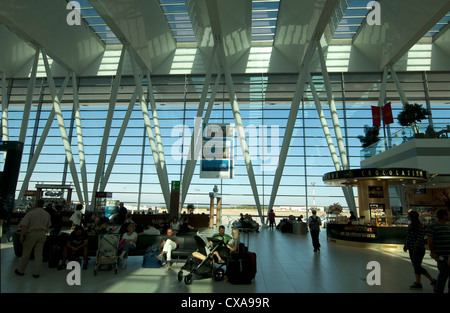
[(439, 245)]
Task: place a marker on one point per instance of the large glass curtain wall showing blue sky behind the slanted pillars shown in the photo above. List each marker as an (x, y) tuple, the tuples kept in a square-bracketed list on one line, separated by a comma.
[(264, 102)]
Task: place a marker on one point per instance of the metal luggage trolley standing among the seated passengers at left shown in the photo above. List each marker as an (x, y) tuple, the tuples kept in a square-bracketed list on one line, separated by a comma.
[(106, 257)]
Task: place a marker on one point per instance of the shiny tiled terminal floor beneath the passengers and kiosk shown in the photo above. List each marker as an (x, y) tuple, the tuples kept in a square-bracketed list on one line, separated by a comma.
[(286, 264)]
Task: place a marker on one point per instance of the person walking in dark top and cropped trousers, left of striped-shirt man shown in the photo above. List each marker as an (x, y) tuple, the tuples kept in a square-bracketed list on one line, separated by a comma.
[(415, 245)]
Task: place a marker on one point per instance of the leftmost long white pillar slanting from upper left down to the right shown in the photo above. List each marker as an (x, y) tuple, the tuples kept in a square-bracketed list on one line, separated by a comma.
[(62, 127)]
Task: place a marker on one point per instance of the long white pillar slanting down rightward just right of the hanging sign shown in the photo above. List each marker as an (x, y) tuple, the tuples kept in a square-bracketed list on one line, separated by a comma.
[(239, 125)]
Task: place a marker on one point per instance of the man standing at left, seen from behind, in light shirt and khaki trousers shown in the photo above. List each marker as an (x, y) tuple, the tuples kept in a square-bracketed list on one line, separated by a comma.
[(34, 230)]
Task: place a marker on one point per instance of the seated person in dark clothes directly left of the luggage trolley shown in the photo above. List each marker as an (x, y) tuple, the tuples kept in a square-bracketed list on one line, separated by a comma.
[(77, 243)]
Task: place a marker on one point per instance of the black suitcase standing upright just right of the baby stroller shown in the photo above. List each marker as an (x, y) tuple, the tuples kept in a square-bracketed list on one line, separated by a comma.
[(241, 268)]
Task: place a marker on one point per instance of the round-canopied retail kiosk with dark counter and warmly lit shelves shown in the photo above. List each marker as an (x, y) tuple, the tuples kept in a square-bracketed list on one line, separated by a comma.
[(378, 223)]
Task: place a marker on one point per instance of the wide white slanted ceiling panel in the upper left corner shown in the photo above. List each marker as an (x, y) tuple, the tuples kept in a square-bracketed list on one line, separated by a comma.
[(44, 23)]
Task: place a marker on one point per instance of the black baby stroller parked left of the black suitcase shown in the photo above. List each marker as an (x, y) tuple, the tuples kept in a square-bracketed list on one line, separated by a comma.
[(200, 263)]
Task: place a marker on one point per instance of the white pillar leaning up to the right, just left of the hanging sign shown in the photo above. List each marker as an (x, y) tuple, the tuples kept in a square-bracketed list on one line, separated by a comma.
[(196, 140)]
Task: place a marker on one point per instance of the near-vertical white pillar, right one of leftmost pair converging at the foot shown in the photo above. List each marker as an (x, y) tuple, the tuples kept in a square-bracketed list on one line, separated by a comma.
[(79, 129)]
